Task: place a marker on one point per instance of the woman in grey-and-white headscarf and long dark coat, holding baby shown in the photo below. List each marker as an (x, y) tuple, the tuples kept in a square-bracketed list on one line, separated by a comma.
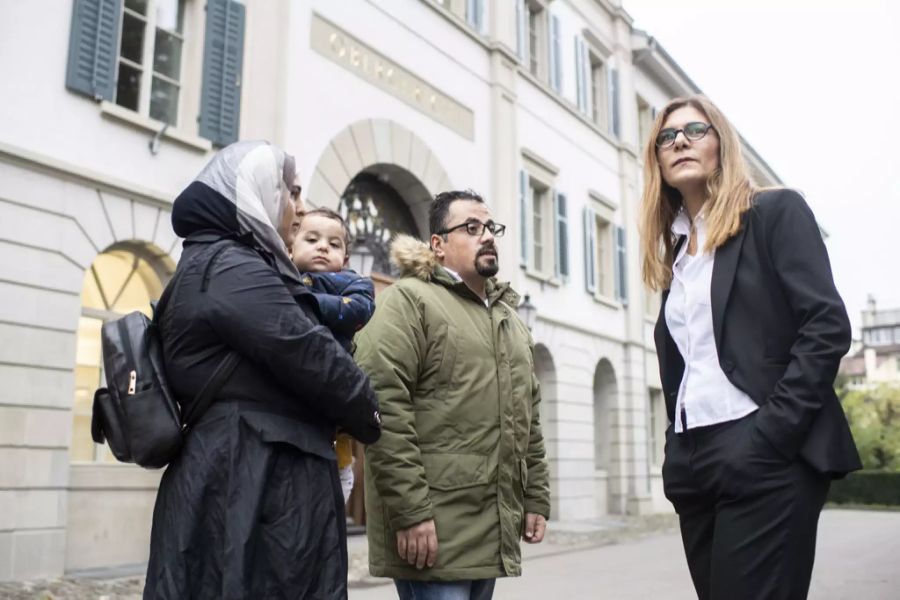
[(252, 508)]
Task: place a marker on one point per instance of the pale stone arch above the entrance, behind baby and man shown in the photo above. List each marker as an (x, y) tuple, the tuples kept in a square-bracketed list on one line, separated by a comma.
[(387, 149)]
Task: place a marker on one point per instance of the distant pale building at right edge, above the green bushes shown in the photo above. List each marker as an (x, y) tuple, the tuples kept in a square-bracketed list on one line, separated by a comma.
[(876, 359)]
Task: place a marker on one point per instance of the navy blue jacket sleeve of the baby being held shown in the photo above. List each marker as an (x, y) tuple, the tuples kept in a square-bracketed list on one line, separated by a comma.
[(346, 303)]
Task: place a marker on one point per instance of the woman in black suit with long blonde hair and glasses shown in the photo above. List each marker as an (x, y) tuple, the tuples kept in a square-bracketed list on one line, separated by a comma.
[(749, 338)]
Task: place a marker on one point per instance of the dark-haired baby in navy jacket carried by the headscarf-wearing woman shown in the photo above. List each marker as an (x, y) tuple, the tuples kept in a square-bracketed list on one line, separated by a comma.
[(346, 300)]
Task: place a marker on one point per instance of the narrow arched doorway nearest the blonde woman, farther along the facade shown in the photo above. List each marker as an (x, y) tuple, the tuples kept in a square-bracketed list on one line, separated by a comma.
[(605, 393)]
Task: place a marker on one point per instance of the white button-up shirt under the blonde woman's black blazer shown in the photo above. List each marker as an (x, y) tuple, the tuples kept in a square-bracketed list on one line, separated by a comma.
[(705, 396)]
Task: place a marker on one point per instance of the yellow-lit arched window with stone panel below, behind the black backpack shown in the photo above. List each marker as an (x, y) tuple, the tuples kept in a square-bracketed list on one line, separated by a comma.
[(104, 497)]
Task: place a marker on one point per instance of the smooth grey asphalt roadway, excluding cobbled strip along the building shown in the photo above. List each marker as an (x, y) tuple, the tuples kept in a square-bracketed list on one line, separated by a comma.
[(858, 559)]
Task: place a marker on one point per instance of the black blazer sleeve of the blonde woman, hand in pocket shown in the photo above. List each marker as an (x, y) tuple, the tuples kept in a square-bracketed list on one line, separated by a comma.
[(801, 264)]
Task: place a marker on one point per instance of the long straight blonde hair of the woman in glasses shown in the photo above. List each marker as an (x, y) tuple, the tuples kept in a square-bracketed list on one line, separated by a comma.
[(729, 193)]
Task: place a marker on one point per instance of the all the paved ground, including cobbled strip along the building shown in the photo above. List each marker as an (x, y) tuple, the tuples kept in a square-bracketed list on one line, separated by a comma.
[(615, 559)]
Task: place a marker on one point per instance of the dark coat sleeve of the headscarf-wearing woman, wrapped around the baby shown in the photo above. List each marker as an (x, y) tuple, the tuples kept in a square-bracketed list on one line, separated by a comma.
[(253, 312)]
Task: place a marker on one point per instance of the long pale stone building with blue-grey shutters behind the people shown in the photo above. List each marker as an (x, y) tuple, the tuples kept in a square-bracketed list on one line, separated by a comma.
[(542, 106)]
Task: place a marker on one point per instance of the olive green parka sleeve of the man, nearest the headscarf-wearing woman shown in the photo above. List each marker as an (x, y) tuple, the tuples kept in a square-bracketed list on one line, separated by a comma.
[(390, 350)]
